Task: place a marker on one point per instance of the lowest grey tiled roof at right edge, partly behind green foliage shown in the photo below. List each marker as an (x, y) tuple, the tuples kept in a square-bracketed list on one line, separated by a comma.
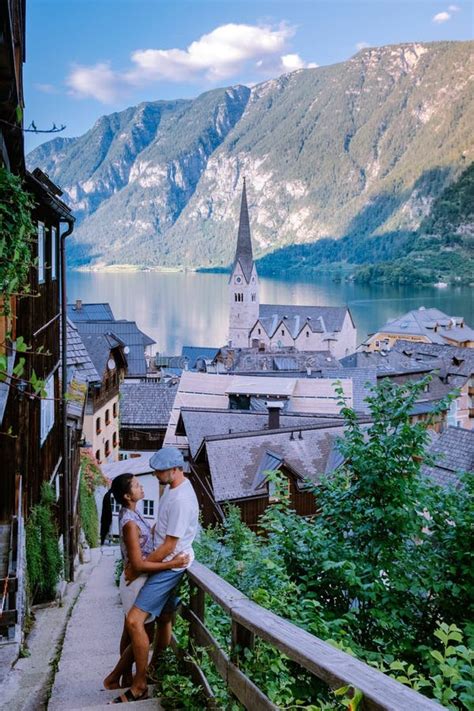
[(453, 451)]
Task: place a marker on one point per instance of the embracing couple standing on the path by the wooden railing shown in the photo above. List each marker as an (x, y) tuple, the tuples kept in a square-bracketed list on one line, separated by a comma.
[(155, 559)]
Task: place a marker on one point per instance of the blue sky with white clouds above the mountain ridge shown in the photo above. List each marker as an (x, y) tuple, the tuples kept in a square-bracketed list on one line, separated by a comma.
[(86, 58)]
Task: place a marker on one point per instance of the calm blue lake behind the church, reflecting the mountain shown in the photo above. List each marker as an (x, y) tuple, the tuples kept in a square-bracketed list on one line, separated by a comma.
[(188, 308)]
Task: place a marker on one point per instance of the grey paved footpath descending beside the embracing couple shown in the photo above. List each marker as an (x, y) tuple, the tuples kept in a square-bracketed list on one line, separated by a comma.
[(91, 643)]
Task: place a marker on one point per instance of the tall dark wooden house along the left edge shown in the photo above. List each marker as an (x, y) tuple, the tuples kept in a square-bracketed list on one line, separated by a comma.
[(33, 422)]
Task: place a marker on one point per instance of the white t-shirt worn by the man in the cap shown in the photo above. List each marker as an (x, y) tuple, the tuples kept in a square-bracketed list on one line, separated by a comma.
[(178, 516)]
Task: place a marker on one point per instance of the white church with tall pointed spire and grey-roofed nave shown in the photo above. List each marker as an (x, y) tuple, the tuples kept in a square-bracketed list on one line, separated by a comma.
[(306, 328)]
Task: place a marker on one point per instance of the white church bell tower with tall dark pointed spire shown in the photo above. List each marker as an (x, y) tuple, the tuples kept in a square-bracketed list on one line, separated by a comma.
[(243, 284)]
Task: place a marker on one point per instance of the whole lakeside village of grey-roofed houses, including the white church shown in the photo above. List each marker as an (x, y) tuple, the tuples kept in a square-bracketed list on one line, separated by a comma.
[(85, 395)]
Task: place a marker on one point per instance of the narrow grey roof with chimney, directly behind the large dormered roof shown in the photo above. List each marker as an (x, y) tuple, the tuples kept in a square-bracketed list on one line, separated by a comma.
[(200, 423)]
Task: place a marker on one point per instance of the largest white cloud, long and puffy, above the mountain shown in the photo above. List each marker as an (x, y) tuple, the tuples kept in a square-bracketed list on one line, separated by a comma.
[(223, 53)]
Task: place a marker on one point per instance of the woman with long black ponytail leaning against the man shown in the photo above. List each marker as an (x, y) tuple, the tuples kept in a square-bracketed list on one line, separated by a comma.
[(136, 543)]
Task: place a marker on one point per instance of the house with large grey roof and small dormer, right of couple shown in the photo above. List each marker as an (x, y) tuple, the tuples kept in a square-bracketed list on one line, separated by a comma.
[(300, 455)]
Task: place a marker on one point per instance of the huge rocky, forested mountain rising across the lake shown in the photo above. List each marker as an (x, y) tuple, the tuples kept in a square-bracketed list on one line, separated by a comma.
[(356, 151)]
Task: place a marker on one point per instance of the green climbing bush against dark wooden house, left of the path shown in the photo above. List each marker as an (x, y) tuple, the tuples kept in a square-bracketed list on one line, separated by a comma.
[(44, 562)]
